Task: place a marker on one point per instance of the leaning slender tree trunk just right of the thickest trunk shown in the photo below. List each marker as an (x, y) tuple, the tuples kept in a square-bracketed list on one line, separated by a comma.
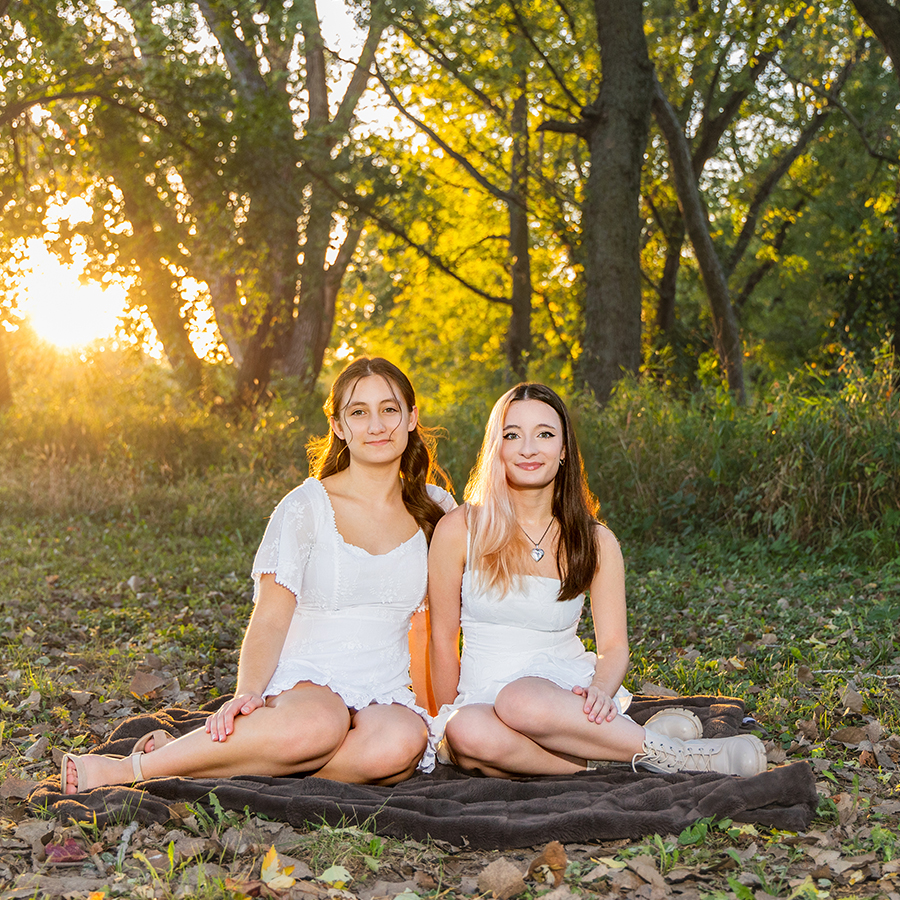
[(726, 332)]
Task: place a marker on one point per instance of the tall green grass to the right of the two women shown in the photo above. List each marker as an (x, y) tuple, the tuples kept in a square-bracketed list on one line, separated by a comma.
[(815, 461)]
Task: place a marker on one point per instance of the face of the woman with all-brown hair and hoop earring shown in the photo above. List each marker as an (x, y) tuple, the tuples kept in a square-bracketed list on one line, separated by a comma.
[(374, 421)]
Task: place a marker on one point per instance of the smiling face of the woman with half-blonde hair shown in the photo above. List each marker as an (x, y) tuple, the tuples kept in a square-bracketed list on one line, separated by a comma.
[(532, 444)]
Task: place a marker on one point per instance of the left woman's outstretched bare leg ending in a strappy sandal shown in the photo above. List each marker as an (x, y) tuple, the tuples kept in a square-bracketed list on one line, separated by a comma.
[(296, 731)]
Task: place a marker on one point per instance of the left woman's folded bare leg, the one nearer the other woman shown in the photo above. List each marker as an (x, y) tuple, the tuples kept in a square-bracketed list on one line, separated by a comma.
[(383, 746)]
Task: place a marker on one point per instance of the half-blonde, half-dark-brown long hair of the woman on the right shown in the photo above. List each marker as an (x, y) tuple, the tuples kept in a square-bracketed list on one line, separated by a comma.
[(498, 548)]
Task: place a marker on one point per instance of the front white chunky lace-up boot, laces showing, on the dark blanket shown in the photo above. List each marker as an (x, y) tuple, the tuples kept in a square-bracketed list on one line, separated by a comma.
[(742, 755)]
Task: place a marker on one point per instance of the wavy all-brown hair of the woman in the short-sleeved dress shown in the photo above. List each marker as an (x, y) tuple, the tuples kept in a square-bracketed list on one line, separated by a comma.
[(418, 465)]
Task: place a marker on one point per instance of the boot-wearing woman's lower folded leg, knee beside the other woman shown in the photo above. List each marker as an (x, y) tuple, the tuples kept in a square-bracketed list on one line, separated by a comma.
[(480, 742)]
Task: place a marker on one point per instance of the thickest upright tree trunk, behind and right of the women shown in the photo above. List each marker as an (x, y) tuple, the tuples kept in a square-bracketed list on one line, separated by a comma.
[(617, 127)]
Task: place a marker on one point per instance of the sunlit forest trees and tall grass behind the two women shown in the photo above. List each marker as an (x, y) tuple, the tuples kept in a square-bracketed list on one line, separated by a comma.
[(683, 216)]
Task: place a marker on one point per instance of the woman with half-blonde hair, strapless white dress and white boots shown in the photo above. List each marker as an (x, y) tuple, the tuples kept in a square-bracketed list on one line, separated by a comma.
[(511, 568)]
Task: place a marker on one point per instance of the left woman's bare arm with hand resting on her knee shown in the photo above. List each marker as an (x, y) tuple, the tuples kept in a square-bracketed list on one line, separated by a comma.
[(260, 650)]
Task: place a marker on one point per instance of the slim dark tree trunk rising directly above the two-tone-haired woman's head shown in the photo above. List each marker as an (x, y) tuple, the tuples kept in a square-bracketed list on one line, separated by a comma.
[(518, 339)]
